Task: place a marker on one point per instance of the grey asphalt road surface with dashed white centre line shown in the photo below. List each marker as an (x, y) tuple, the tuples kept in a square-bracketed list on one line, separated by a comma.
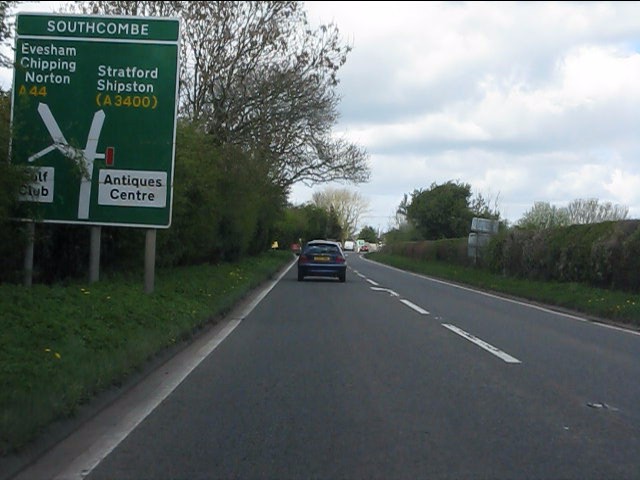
[(387, 376)]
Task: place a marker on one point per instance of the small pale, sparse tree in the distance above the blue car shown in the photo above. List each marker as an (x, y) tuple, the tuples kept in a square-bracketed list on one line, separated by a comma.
[(349, 207)]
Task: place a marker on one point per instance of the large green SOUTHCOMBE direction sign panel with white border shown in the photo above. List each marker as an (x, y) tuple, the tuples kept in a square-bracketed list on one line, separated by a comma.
[(94, 117)]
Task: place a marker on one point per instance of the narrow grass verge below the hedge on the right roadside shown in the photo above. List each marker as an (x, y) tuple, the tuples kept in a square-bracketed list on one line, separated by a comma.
[(606, 305)]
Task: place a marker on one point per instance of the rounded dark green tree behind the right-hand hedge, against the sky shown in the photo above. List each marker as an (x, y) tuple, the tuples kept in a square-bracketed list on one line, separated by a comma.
[(442, 211)]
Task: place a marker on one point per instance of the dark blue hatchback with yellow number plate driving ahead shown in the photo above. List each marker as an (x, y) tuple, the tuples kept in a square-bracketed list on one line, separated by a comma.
[(322, 258)]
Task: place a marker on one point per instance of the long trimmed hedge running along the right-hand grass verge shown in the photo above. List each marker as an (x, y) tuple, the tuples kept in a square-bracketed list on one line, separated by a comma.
[(605, 255)]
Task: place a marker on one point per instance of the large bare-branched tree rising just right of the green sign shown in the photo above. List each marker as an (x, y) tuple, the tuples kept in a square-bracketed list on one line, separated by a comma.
[(257, 75)]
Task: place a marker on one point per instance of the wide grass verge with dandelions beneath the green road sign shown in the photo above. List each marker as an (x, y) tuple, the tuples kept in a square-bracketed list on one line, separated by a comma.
[(61, 345)]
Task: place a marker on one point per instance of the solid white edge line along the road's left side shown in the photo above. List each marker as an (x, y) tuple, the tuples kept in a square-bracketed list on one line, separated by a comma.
[(84, 464)]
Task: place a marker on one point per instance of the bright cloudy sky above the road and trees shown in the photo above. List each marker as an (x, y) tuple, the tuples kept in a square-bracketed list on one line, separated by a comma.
[(525, 101)]
